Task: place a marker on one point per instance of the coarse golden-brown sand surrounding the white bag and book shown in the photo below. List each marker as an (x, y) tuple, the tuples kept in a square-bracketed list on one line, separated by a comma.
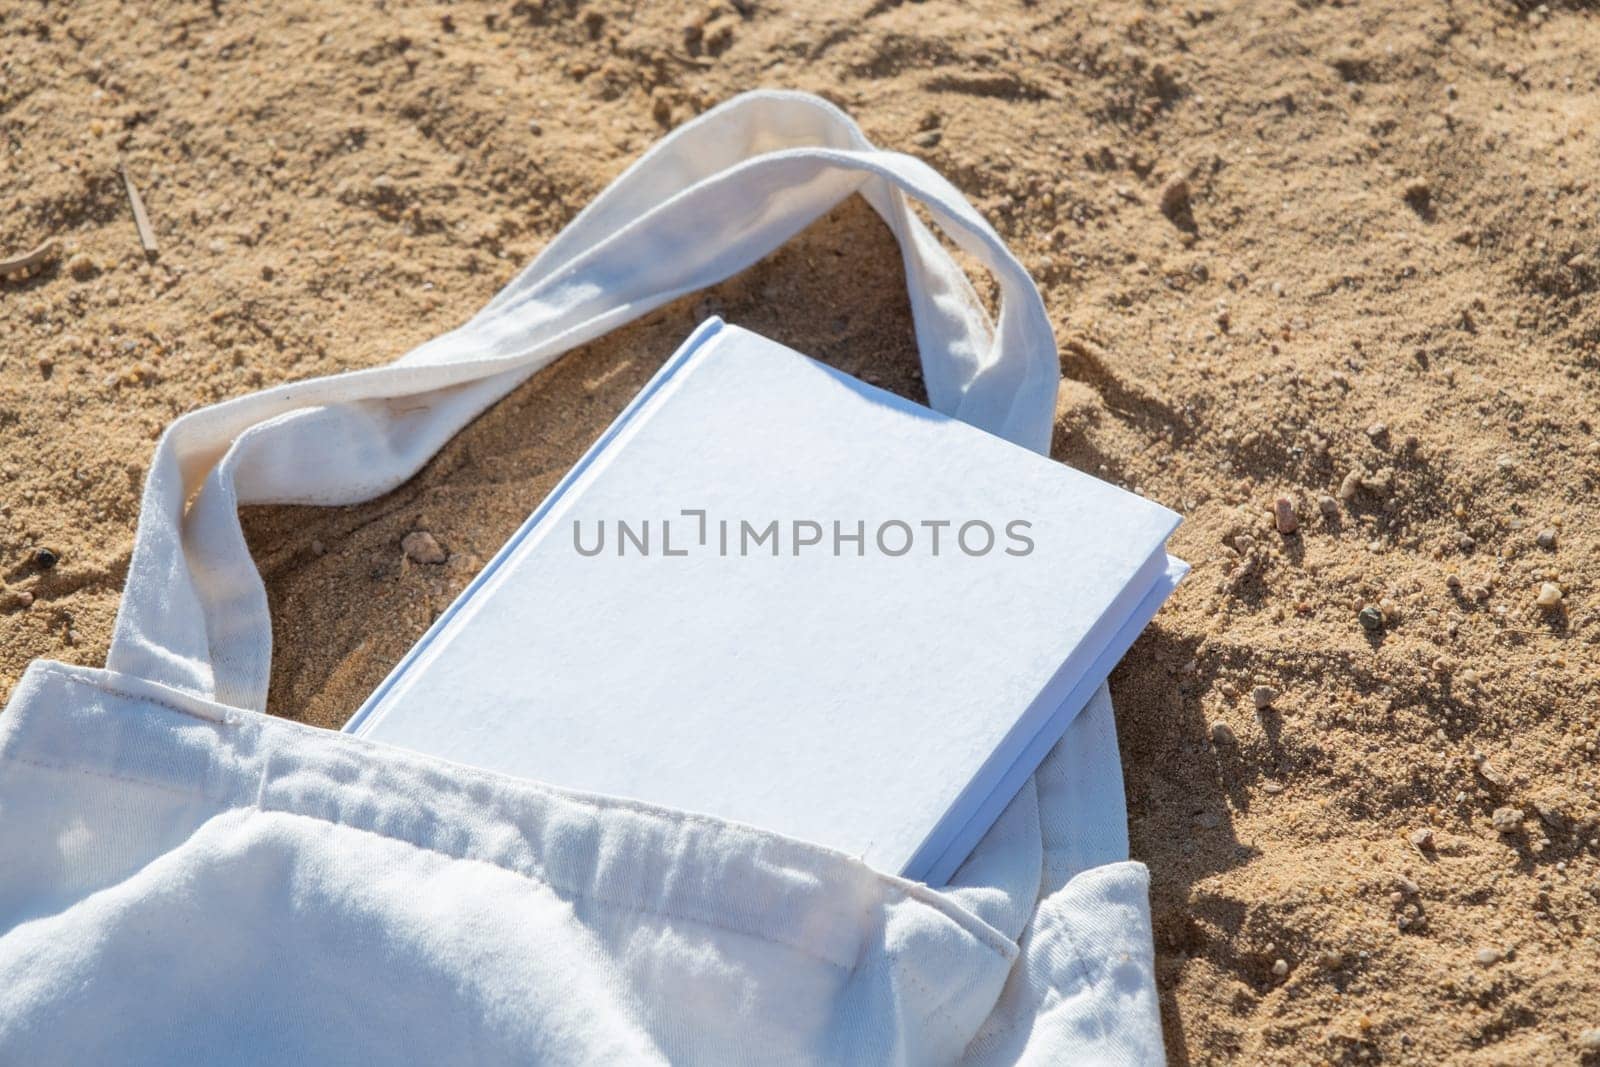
[(1343, 254)]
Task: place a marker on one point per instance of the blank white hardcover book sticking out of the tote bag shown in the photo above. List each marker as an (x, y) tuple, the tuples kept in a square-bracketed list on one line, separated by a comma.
[(775, 594)]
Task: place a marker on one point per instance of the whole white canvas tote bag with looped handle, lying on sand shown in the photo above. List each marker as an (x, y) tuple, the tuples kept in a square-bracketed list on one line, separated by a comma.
[(190, 881)]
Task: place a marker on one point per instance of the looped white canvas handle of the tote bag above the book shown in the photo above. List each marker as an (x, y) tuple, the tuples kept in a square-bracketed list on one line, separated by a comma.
[(706, 202)]
